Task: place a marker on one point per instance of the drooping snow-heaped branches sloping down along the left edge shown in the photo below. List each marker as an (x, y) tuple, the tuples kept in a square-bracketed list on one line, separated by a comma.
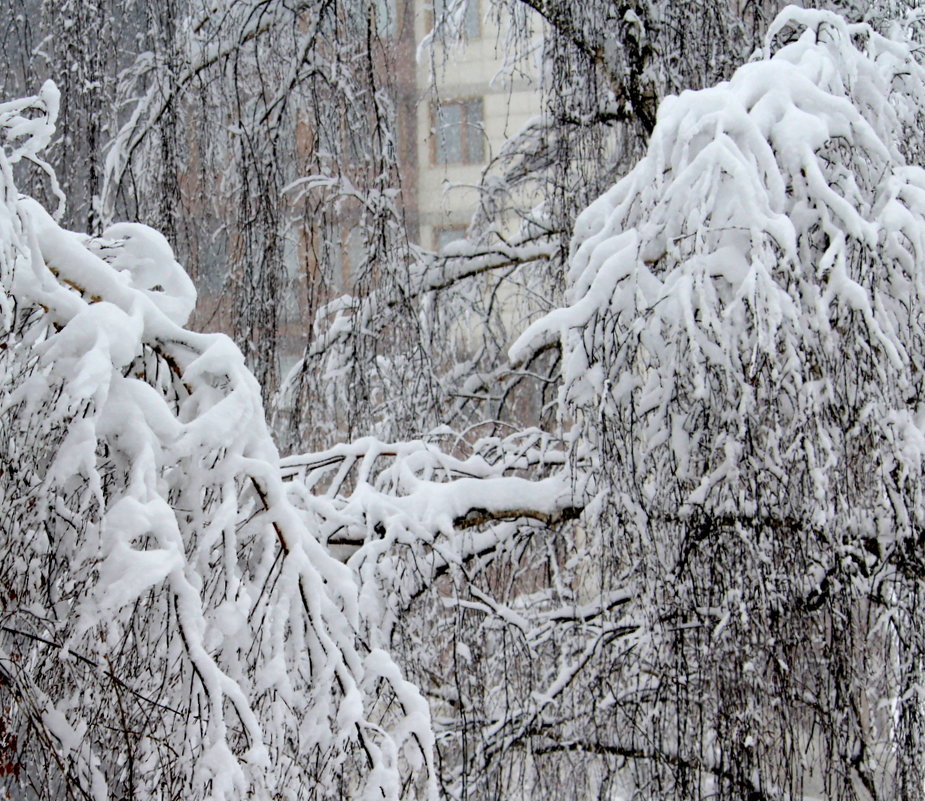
[(169, 625)]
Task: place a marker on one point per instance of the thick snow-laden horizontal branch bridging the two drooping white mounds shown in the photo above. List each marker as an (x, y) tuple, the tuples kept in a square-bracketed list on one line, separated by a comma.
[(370, 494)]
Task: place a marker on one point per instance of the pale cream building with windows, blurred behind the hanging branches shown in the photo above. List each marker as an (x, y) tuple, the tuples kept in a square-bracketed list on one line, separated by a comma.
[(455, 105)]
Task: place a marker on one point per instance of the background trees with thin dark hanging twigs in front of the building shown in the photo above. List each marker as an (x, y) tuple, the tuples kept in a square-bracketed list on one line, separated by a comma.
[(275, 126)]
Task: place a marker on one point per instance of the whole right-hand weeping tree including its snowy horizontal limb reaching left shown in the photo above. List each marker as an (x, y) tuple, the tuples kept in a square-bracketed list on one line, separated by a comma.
[(736, 613)]
